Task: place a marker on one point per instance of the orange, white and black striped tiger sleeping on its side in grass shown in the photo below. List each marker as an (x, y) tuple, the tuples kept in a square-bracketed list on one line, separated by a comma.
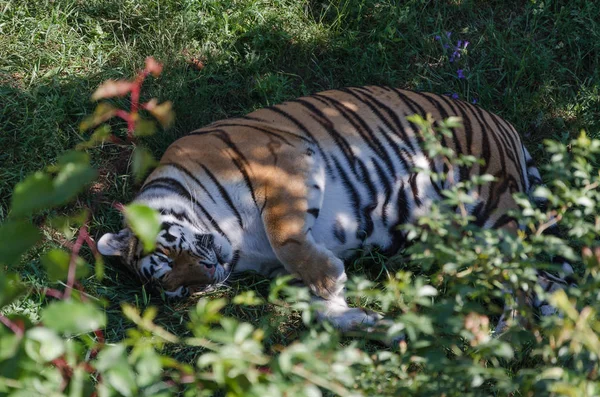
[(298, 187)]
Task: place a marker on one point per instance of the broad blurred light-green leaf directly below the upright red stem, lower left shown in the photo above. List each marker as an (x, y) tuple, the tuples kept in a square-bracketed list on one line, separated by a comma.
[(71, 317)]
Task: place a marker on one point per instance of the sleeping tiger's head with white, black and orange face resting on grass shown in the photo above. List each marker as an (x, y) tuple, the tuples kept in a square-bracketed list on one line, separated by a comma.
[(184, 260)]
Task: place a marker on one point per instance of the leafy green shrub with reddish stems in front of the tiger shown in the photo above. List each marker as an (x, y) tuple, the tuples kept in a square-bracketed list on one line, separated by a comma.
[(445, 299)]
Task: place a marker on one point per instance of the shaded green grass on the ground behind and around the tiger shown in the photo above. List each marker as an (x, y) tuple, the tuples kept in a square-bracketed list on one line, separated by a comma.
[(537, 64)]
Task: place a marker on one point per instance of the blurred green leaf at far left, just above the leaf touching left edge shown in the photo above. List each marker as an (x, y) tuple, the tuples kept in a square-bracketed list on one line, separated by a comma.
[(34, 193)]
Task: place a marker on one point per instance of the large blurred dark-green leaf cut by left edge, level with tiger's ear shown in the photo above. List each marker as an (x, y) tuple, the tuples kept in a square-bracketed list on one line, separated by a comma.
[(16, 237)]
